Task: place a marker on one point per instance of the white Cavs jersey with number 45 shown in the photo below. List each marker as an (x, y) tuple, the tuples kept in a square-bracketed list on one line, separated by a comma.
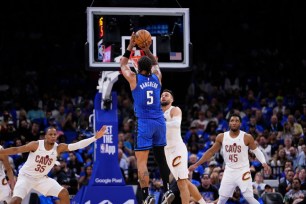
[(235, 152)]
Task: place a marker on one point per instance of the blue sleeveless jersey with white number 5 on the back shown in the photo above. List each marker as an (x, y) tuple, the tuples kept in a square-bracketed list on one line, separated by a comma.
[(146, 97)]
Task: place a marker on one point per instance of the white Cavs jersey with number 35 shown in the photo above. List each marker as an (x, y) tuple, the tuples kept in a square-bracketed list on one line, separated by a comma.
[(40, 162)]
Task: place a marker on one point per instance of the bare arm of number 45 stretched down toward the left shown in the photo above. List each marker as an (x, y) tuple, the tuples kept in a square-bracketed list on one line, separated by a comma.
[(209, 153)]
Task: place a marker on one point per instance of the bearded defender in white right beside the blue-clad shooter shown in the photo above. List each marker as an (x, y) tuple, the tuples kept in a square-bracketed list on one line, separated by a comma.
[(176, 150)]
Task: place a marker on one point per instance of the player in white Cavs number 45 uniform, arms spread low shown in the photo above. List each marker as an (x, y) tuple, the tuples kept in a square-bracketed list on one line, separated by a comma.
[(235, 145)]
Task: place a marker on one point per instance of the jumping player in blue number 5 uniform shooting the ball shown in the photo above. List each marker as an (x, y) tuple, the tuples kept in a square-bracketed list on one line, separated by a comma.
[(150, 126)]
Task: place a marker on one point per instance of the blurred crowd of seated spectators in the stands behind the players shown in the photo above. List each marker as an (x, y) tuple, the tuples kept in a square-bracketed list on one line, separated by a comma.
[(277, 121)]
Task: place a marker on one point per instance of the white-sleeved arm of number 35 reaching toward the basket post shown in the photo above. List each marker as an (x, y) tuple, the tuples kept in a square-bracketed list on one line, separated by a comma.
[(81, 144)]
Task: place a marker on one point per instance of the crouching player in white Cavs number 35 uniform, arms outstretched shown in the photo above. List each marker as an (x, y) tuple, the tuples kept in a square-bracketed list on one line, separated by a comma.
[(41, 159)]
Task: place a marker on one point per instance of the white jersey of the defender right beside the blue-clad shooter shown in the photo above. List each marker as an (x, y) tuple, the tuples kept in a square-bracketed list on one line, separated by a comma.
[(173, 134)]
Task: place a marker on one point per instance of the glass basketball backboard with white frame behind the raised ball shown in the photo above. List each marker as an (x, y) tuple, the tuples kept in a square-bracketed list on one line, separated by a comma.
[(109, 30)]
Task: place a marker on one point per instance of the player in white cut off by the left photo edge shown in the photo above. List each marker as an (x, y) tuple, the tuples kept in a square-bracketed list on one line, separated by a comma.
[(6, 186)]
